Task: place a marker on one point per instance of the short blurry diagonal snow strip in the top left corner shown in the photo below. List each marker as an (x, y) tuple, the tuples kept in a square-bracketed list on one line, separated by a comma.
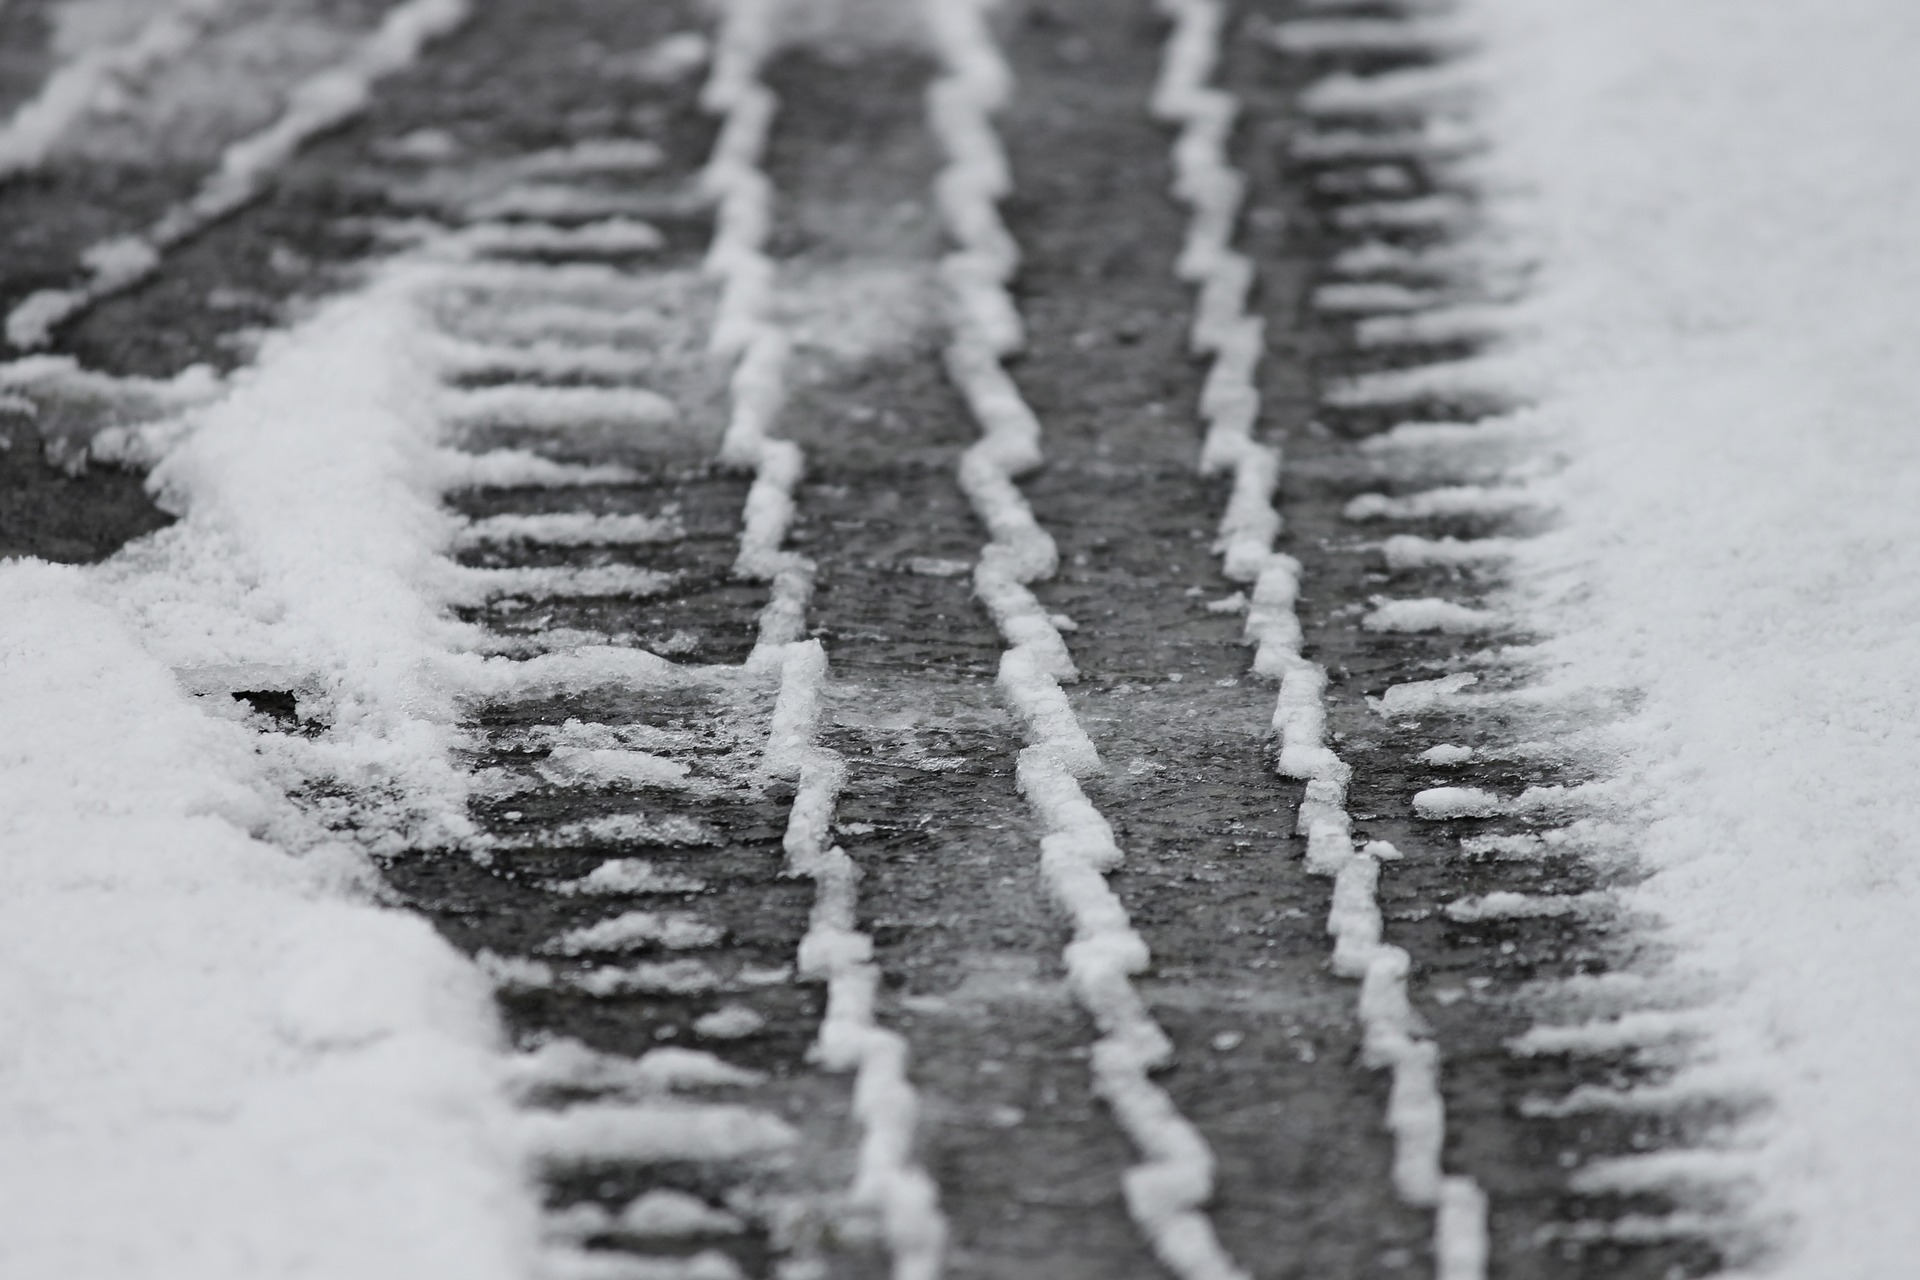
[(78, 87)]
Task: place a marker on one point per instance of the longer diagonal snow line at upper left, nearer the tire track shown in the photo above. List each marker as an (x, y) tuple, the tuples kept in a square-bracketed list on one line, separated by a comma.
[(322, 103)]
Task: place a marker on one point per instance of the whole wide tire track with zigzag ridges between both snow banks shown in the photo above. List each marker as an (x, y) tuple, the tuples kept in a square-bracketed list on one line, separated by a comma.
[(658, 746)]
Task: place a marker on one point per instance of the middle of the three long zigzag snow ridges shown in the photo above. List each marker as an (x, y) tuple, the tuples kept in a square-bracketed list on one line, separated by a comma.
[(1168, 1189)]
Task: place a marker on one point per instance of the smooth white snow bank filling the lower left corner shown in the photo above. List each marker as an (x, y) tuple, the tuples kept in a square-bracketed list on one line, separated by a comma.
[(214, 1062)]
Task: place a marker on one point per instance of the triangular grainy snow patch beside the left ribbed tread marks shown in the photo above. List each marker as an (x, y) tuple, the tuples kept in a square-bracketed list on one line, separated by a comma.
[(308, 557)]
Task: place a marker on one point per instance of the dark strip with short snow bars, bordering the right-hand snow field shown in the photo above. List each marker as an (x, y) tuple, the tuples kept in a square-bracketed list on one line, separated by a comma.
[(1500, 807)]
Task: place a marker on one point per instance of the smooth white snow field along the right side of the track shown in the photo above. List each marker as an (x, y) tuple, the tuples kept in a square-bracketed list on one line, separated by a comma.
[(1725, 204)]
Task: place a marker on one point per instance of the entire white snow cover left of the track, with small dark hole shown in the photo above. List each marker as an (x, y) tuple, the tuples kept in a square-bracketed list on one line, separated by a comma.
[(222, 1058)]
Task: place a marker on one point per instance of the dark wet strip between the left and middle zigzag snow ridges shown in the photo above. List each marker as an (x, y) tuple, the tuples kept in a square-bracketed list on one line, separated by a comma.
[(1026, 1156)]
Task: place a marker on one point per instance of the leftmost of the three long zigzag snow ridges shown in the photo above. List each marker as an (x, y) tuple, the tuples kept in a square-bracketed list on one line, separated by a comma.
[(888, 1179)]
